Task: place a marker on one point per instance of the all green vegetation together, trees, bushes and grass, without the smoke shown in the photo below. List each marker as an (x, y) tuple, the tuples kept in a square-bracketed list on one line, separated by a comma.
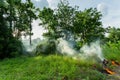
[(66, 22)]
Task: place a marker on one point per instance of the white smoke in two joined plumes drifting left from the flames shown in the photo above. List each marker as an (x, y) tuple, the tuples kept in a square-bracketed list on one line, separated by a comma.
[(87, 51)]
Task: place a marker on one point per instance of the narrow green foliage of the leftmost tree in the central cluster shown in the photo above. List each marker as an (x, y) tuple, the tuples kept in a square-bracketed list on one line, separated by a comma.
[(49, 22)]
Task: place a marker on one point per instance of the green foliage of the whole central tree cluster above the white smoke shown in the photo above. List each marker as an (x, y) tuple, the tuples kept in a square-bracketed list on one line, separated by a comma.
[(70, 23)]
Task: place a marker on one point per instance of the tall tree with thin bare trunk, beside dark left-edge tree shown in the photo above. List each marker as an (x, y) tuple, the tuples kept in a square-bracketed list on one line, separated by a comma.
[(26, 13)]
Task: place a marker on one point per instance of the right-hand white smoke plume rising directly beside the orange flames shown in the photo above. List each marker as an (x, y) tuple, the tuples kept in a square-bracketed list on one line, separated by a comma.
[(93, 50)]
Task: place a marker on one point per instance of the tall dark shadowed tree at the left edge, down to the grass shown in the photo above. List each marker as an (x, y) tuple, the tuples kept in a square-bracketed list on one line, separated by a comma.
[(9, 46)]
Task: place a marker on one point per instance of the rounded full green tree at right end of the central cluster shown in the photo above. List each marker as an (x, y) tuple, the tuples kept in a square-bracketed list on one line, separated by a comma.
[(87, 25)]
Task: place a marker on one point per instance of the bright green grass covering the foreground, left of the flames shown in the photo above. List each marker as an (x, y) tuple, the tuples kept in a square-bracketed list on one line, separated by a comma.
[(50, 67)]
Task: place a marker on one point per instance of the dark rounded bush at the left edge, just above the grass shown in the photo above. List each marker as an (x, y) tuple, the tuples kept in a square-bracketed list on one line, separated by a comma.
[(10, 48)]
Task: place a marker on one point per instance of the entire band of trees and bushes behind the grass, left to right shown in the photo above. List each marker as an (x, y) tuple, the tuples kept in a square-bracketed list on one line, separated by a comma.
[(65, 22)]
